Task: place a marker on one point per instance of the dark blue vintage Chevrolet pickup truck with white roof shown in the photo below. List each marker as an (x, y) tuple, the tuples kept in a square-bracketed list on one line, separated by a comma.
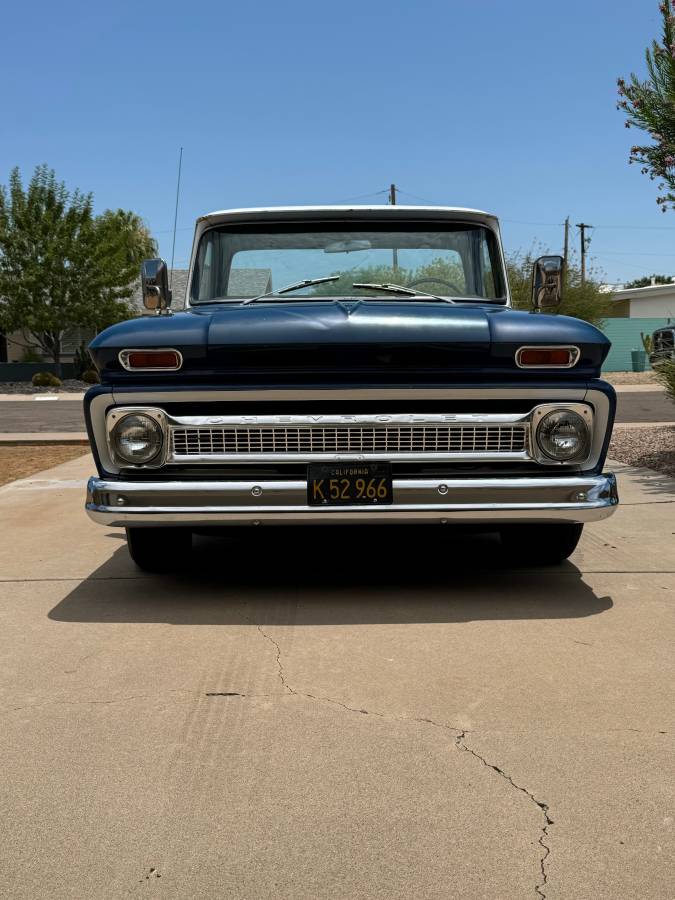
[(350, 365)]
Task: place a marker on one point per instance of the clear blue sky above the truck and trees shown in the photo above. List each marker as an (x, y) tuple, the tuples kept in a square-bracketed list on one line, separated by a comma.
[(508, 107)]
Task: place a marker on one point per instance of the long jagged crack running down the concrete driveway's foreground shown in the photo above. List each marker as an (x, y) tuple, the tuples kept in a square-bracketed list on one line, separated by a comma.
[(459, 743)]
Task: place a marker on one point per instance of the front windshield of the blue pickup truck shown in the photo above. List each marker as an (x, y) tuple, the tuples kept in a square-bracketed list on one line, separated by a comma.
[(459, 261)]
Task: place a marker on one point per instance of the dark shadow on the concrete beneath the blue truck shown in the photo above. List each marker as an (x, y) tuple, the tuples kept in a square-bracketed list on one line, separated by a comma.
[(326, 577)]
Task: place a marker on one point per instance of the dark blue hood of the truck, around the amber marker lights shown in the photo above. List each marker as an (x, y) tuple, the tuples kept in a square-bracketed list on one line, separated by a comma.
[(360, 341)]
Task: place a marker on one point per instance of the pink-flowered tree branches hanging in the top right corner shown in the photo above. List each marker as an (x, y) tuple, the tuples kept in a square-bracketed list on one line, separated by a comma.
[(650, 106)]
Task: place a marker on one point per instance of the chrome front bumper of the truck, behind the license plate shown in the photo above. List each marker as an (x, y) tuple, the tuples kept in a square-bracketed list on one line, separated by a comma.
[(571, 498)]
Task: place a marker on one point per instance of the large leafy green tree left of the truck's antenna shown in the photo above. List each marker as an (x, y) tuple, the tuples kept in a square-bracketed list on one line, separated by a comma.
[(62, 267)]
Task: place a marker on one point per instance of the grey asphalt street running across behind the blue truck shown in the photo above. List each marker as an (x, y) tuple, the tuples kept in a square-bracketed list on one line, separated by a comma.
[(66, 415)]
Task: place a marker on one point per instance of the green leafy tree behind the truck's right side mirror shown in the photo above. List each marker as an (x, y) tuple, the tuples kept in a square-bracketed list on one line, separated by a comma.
[(583, 301)]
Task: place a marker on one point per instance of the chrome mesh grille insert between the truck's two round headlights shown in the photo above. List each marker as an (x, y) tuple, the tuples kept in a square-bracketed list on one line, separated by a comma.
[(390, 440)]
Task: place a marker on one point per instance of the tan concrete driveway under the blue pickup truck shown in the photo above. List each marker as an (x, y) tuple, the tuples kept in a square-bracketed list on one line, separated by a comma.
[(367, 716)]
